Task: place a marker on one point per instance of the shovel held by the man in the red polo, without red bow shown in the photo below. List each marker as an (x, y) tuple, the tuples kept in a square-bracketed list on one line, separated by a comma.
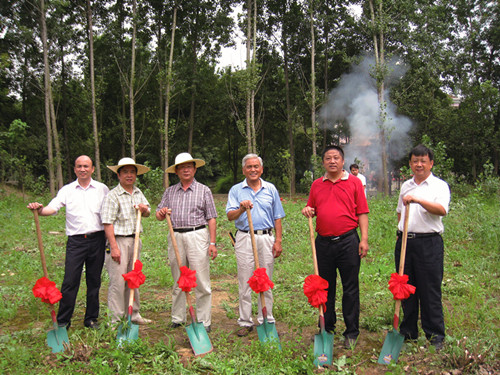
[(323, 341)]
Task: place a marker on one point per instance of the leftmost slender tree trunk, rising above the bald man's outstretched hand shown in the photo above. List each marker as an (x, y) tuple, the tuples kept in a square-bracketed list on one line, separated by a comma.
[(50, 156)]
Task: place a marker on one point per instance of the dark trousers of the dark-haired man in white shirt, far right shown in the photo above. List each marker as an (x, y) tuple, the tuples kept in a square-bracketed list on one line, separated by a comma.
[(424, 267)]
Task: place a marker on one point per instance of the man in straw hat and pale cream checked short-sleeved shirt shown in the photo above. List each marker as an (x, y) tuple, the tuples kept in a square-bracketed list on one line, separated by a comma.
[(118, 215)]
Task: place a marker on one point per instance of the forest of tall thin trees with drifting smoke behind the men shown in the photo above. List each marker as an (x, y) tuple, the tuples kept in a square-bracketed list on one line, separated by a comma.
[(142, 79)]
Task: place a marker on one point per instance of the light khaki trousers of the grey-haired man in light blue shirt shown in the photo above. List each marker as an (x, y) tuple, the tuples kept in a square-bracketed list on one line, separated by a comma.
[(246, 266)]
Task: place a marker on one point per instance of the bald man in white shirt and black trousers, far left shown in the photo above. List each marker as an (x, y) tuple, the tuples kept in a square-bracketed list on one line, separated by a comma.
[(86, 241)]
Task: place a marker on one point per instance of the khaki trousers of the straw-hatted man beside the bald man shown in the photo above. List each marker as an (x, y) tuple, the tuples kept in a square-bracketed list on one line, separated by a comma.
[(118, 291)]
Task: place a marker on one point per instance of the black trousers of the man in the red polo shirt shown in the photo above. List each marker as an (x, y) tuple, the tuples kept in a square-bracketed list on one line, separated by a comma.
[(344, 256)]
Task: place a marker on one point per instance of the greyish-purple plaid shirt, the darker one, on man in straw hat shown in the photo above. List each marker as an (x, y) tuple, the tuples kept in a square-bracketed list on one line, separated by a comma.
[(190, 208)]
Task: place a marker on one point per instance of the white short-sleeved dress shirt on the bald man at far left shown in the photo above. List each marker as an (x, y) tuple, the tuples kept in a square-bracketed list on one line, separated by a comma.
[(83, 206)]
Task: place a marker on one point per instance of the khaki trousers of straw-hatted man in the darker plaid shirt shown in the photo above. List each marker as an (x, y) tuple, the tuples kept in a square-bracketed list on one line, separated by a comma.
[(193, 251)]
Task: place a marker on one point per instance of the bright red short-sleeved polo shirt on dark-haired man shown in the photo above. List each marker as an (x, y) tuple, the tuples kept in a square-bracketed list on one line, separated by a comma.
[(337, 204)]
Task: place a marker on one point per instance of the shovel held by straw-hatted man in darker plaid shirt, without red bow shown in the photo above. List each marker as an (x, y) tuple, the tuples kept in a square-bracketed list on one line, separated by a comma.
[(197, 333)]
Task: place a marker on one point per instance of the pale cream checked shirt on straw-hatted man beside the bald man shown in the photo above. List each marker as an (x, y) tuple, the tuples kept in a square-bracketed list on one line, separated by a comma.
[(118, 209)]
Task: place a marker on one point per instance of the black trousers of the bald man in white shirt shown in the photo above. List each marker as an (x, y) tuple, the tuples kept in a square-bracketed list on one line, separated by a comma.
[(82, 250)]
